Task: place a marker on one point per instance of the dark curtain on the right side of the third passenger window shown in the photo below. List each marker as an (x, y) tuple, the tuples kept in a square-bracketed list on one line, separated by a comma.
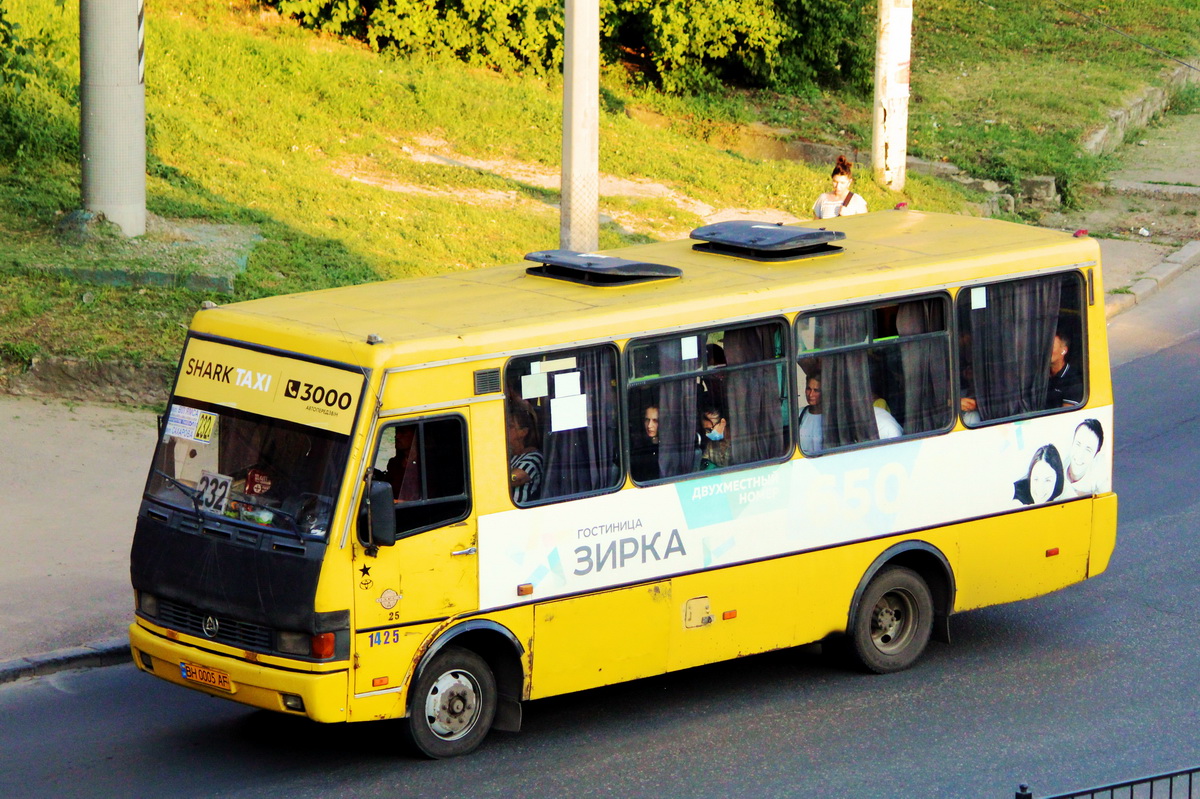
[(926, 367)]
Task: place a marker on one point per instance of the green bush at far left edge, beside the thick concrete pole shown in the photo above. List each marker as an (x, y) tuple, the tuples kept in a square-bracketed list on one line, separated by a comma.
[(39, 98)]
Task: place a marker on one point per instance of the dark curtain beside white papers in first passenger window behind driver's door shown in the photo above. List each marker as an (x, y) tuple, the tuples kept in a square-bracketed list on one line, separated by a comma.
[(586, 459)]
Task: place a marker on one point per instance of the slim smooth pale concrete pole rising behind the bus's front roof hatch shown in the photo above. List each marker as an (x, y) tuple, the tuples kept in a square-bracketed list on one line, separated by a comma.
[(580, 227)]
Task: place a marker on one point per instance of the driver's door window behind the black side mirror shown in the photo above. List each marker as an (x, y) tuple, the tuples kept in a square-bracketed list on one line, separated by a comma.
[(427, 465)]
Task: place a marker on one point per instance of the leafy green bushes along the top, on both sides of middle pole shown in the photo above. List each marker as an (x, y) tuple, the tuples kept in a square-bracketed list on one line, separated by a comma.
[(680, 45)]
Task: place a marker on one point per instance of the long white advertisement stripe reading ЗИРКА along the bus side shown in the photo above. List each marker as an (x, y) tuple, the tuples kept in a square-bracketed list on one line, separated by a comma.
[(805, 504)]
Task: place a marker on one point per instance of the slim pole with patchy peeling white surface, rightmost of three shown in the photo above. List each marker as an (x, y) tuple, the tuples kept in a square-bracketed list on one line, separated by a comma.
[(890, 135)]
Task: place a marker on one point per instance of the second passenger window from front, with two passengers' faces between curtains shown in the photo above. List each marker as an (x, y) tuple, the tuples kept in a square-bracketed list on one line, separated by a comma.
[(707, 400)]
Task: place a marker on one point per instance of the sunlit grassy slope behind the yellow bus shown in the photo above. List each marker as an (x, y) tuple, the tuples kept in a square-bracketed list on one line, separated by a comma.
[(250, 117)]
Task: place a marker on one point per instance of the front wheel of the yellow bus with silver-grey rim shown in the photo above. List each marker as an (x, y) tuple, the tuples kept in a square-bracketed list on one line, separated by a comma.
[(452, 705)]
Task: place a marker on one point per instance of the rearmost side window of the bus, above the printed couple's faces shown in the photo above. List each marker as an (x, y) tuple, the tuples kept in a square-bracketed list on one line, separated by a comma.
[(1022, 347)]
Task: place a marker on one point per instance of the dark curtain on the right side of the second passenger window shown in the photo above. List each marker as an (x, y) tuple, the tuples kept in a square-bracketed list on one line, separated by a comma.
[(757, 425)]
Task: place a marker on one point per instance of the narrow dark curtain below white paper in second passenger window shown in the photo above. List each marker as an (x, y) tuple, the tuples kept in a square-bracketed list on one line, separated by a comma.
[(679, 407)]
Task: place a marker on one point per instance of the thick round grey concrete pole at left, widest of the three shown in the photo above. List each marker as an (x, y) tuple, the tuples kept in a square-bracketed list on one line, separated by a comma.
[(112, 115)]
